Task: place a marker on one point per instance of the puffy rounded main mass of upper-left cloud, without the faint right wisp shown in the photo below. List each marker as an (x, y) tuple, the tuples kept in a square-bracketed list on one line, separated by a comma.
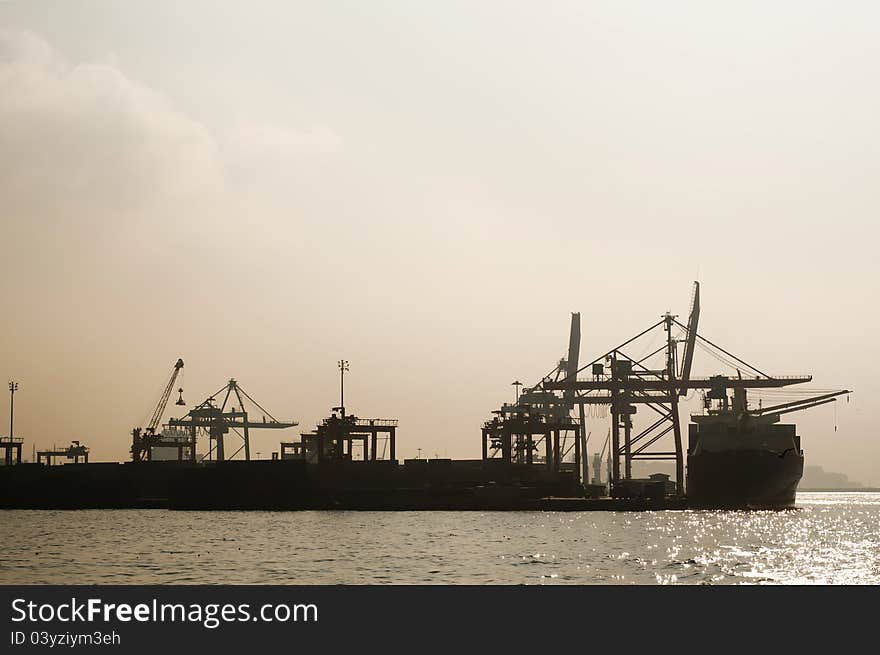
[(87, 133)]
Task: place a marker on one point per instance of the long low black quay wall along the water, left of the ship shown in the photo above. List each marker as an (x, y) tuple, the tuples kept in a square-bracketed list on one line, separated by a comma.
[(286, 484)]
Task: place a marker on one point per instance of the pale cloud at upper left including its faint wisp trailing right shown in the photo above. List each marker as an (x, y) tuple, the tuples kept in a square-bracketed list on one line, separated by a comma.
[(84, 143)]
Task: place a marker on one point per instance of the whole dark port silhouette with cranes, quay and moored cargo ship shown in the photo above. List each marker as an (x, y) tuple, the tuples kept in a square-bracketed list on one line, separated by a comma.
[(533, 451)]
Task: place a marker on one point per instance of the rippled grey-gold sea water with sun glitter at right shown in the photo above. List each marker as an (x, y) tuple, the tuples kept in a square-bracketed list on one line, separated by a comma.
[(834, 538)]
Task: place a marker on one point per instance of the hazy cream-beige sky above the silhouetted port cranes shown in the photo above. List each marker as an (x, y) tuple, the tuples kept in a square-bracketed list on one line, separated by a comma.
[(428, 190)]
